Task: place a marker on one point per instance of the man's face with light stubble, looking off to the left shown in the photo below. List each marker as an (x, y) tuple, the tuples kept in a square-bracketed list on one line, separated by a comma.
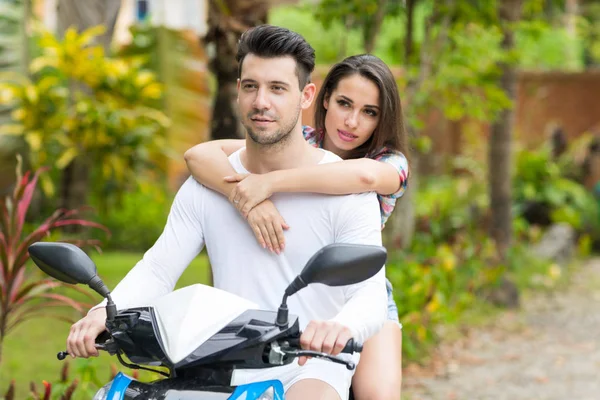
[(269, 98)]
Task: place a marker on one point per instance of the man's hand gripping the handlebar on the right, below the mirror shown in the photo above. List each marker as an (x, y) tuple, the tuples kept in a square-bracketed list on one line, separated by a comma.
[(324, 336)]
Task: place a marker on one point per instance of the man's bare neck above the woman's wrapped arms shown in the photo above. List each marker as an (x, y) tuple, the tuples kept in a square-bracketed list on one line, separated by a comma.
[(293, 152)]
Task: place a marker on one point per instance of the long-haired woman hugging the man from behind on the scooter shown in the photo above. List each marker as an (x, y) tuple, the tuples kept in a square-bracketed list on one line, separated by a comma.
[(358, 117)]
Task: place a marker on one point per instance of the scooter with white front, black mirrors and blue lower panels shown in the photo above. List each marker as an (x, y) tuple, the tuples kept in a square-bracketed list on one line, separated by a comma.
[(202, 347)]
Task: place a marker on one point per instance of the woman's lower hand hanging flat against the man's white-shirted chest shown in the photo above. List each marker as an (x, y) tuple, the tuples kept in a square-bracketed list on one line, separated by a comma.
[(268, 225)]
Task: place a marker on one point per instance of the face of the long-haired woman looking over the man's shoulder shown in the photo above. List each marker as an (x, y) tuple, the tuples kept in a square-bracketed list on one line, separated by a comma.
[(352, 114)]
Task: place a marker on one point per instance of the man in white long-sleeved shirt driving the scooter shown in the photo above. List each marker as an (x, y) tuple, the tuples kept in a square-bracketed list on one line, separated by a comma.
[(273, 87)]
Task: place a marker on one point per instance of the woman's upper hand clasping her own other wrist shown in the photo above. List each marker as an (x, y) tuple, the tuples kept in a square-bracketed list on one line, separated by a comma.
[(251, 190)]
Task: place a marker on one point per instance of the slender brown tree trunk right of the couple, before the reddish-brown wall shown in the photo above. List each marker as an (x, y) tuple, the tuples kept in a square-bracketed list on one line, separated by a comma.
[(500, 145)]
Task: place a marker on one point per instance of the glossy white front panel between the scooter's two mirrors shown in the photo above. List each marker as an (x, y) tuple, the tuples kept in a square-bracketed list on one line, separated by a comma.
[(188, 317)]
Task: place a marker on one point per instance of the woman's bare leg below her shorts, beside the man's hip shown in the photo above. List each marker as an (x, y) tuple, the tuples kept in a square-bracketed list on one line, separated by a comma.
[(379, 373)]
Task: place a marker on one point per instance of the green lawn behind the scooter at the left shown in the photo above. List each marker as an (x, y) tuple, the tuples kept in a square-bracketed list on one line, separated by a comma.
[(30, 350)]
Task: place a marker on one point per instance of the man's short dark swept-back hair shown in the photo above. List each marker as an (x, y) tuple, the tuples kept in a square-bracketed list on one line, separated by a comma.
[(270, 41)]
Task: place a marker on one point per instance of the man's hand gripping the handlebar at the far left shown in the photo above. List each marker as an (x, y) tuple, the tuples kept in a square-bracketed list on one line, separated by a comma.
[(82, 336)]
